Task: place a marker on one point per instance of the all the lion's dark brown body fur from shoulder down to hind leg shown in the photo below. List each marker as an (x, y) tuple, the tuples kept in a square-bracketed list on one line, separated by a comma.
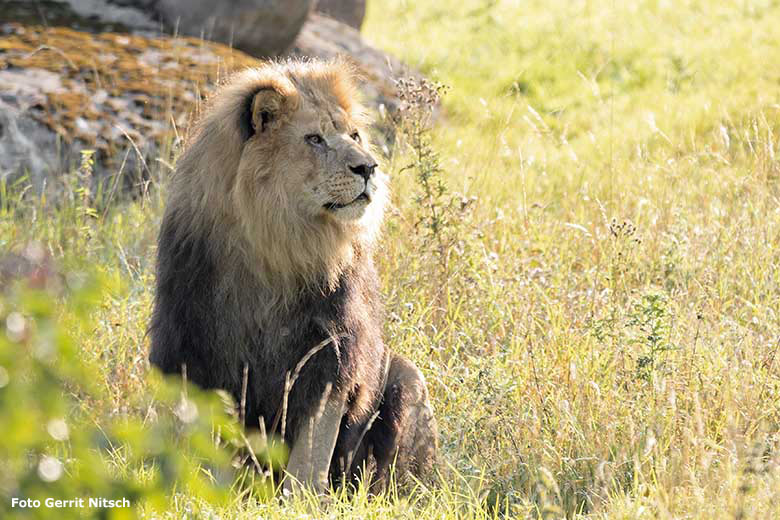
[(214, 316)]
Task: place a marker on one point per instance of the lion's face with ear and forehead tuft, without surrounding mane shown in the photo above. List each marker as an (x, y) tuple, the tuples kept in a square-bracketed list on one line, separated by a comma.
[(308, 149)]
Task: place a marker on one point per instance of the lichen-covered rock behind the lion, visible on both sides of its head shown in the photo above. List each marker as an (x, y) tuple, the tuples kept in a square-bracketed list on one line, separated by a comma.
[(130, 98)]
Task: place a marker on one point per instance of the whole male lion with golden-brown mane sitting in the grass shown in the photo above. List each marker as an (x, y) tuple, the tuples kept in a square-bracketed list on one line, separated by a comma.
[(266, 285)]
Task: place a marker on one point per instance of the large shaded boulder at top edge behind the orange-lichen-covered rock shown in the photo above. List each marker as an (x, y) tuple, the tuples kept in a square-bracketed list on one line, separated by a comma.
[(258, 27)]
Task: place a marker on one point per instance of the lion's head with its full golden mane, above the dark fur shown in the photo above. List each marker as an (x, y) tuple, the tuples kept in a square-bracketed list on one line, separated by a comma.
[(281, 158)]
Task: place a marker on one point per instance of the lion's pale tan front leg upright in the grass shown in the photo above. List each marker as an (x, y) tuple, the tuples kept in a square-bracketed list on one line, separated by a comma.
[(312, 449)]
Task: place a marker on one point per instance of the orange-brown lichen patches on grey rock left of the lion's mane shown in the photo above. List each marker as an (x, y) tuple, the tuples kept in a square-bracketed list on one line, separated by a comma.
[(108, 92)]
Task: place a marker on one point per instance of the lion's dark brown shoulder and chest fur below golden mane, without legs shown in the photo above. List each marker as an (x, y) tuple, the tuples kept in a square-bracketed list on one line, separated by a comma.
[(197, 325)]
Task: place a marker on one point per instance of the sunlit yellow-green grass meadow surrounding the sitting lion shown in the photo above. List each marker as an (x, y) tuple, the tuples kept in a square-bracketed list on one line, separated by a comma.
[(598, 315)]
